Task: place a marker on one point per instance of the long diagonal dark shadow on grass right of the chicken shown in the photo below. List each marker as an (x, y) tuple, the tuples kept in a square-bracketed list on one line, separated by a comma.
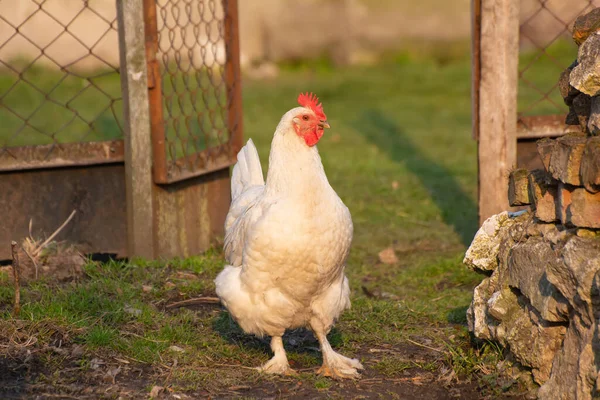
[(457, 207)]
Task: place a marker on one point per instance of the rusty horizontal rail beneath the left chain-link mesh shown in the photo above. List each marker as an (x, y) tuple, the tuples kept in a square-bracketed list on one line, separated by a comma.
[(61, 155)]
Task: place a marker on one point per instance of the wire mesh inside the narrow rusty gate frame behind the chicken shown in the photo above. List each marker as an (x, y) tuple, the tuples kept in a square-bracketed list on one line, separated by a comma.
[(192, 57)]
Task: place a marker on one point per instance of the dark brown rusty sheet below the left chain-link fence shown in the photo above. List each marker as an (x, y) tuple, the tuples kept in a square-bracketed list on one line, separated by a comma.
[(97, 193)]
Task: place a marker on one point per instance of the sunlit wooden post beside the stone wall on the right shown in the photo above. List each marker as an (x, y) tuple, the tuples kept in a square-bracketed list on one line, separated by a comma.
[(497, 111)]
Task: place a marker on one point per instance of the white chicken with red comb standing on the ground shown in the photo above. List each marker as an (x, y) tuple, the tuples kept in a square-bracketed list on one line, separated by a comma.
[(286, 242)]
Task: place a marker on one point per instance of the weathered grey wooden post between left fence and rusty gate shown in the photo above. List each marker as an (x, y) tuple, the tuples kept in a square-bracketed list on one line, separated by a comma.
[(136, 115)]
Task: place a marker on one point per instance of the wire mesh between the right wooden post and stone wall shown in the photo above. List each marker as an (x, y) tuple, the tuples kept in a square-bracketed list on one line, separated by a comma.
[(547, 49)]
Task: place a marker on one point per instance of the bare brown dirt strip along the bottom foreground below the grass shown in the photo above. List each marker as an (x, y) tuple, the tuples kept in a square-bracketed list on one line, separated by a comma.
[(65, 369)]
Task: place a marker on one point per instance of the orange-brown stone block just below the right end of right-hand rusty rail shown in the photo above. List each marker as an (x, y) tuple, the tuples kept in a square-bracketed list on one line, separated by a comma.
[(565, 160)]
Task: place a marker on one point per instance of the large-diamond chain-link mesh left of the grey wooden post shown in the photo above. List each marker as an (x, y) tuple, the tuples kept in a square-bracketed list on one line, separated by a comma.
[(59, 73)]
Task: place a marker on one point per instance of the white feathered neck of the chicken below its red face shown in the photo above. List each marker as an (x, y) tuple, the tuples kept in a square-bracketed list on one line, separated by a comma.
[(294, 168)]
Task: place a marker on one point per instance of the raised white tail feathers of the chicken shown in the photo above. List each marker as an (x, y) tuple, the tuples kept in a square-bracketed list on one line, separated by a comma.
[(247, 171)]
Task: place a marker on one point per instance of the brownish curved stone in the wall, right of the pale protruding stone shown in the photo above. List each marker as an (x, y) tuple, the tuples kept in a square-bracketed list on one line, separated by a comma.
[(527, 266)]
